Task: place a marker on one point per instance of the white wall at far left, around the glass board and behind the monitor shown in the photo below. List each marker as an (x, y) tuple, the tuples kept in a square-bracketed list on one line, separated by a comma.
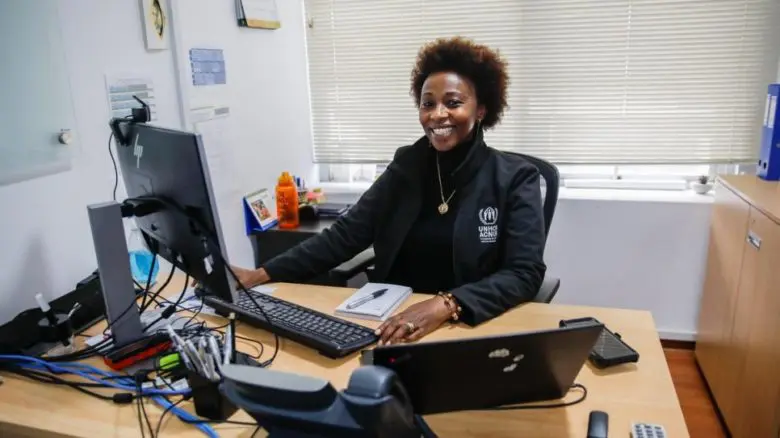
[(44, 230)]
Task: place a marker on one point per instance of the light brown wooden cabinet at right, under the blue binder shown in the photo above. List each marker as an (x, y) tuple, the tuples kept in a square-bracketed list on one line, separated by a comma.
[(738, 342)]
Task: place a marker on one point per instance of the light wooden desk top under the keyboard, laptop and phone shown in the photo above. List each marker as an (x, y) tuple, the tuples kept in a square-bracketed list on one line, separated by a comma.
[(635, 392)]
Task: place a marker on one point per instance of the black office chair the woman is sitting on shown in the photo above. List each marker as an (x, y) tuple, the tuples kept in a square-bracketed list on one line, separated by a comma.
[(550, 285)]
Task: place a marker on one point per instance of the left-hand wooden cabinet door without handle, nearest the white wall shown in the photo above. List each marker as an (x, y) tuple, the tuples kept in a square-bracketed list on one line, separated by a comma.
[(714, 353)]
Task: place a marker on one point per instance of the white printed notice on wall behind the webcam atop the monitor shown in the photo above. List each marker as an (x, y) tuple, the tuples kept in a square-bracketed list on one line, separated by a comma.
[(122, 93)]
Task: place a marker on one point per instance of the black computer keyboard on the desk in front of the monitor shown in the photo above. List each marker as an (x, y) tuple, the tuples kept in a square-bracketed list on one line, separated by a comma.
[(331, 336)]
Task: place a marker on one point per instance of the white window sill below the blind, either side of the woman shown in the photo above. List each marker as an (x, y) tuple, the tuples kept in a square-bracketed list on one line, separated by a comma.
[(623, 195)]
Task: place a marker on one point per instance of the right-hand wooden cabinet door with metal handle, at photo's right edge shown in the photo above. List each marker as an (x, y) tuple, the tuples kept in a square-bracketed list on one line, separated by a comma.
[(756, 333)]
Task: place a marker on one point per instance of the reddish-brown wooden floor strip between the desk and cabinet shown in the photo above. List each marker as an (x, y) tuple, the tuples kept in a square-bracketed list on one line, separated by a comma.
[(698, 408)]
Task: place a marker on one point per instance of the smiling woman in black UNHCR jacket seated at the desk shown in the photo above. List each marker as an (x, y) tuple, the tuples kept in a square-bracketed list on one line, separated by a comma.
[(449, 216)]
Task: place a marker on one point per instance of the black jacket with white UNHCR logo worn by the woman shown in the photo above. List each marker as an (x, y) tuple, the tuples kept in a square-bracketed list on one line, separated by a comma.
[(499, 232)]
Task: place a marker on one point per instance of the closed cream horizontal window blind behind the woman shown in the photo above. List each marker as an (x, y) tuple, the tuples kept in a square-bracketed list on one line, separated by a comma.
[(592, 81)]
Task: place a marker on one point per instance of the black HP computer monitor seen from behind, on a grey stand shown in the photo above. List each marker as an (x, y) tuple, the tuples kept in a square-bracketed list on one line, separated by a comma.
[(171, 165)]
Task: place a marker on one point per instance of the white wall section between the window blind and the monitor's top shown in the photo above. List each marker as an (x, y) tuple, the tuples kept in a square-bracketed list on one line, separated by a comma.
[(267, 92)]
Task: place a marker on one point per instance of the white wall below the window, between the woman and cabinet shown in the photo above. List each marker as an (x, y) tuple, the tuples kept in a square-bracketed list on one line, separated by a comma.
[(648, 255)]
